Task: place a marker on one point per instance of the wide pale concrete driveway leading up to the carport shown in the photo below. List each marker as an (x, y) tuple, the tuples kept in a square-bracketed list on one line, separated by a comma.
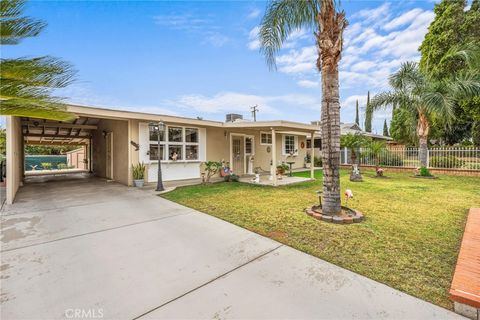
[(86, 248)]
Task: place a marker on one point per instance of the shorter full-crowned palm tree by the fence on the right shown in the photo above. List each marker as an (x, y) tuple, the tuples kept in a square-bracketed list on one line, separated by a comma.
[(424, 99)]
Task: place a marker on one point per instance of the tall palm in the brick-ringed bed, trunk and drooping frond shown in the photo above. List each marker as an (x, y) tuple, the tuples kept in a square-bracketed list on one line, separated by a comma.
[(281, 18)]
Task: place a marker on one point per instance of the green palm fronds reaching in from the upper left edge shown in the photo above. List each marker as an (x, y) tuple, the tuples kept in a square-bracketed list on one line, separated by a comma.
[(26, 85)]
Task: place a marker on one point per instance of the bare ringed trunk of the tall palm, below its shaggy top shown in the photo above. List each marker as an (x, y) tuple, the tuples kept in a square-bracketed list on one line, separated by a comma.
[(331, 142)]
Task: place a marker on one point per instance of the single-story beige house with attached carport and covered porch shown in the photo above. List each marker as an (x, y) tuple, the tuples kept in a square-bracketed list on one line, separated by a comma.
[(115, 140)]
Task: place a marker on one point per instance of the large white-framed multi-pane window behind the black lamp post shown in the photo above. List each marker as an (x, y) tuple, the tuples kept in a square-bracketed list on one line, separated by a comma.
[(177, 144)]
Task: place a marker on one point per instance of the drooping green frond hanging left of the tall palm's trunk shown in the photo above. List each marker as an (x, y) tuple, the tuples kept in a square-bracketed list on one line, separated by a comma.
[(281, 18)]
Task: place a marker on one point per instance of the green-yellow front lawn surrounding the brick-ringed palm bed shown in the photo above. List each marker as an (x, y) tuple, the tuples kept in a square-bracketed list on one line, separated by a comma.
[(409, 239)]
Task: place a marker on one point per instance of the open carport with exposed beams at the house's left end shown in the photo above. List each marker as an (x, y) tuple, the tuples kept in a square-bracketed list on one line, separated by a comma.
[(105, 139)]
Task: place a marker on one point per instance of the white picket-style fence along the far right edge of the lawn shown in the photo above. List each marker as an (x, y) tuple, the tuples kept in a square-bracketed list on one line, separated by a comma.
[(461, 158)]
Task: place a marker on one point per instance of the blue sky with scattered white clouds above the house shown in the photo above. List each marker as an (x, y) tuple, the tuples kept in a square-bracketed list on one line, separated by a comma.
[(193, 58)]
